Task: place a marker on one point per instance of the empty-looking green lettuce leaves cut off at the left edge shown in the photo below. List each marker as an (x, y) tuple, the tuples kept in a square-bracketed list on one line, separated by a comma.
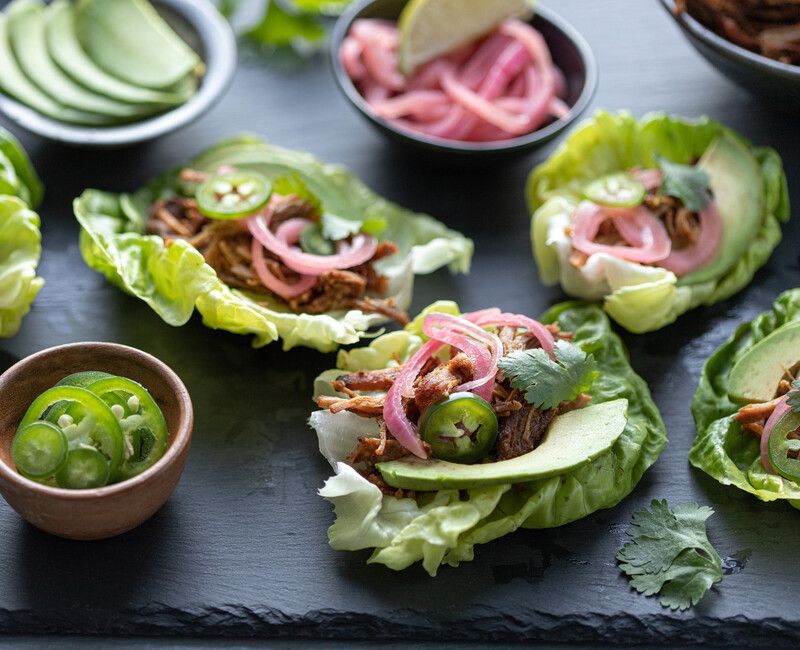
[(20, 239)]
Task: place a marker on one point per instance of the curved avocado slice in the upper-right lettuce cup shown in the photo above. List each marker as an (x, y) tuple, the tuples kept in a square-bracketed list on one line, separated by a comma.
[(738, 188)]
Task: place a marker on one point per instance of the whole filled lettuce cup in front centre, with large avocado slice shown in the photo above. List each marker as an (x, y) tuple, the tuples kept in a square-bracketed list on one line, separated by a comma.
[(462, 428)]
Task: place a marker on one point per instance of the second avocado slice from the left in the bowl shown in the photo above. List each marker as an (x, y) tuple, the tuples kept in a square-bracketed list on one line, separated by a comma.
[(27, 35)]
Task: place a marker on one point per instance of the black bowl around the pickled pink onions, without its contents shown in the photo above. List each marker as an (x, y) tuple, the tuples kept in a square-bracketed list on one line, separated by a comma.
[(571, 53)]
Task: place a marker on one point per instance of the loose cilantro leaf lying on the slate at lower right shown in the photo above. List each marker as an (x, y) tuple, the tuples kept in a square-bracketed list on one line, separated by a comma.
[(670, 554)]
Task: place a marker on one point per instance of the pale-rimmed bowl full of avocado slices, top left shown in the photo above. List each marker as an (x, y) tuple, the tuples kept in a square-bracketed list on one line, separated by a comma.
[(106, 73)]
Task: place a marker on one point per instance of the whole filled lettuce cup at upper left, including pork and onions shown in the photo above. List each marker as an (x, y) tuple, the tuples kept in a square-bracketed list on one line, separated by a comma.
[(266, 241)]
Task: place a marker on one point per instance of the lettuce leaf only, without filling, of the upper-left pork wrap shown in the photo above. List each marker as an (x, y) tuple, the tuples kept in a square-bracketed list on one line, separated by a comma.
[(175, 280)]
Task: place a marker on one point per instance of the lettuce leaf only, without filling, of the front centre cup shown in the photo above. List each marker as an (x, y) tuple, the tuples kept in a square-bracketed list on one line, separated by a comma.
[(443, 527)]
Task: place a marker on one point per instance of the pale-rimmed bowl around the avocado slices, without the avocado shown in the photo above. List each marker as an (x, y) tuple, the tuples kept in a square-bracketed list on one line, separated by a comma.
[(220, 60)]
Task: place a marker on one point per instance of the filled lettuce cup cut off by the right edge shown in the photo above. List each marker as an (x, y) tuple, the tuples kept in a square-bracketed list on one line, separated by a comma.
[(747, 406)]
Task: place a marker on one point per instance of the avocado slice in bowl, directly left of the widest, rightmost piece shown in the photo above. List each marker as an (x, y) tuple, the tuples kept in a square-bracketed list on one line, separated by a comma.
[(66, 52)]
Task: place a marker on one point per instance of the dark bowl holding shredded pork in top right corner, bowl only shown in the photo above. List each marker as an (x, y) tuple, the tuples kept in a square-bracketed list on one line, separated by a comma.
[(761, 75)]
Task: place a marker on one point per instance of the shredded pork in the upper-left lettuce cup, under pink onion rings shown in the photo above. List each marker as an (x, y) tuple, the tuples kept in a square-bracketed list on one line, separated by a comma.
[(225, 245)]
